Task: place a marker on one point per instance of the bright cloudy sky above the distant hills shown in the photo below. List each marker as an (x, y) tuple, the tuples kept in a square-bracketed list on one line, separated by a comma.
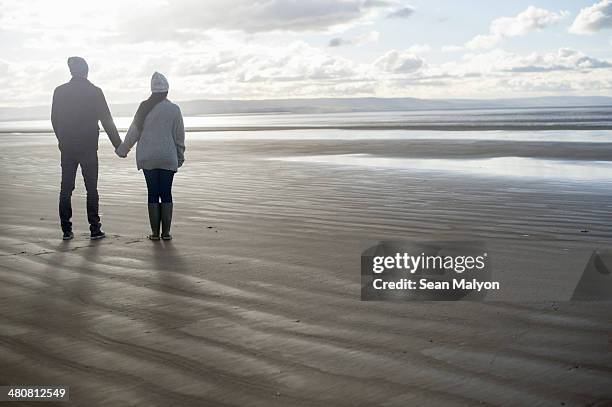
[(265, 49)]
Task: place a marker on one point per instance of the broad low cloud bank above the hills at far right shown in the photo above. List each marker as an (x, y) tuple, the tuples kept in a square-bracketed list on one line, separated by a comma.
[(498, 72)]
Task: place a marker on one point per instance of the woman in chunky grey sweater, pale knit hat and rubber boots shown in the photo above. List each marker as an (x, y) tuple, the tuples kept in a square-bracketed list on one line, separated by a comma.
[(158, 129)]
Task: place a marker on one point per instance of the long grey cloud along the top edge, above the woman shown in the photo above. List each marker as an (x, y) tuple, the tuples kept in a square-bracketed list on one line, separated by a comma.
[(252, 16)]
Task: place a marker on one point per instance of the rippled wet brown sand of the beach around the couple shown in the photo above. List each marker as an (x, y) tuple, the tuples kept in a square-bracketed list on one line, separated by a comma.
[(256, 300)]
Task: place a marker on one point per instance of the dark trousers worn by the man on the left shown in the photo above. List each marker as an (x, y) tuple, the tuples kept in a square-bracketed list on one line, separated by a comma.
[(88, 160)]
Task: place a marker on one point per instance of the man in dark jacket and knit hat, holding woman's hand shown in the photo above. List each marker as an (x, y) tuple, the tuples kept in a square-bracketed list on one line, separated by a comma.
[(77, 107)]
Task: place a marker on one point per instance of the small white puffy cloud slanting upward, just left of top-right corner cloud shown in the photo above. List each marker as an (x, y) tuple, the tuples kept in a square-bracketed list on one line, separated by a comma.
[(532, 18)]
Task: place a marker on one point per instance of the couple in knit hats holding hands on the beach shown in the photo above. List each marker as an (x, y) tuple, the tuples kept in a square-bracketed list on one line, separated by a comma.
[(157, 127)]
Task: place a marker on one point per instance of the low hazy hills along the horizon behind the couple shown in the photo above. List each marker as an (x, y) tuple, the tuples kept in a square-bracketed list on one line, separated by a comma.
[(329, 105)]
